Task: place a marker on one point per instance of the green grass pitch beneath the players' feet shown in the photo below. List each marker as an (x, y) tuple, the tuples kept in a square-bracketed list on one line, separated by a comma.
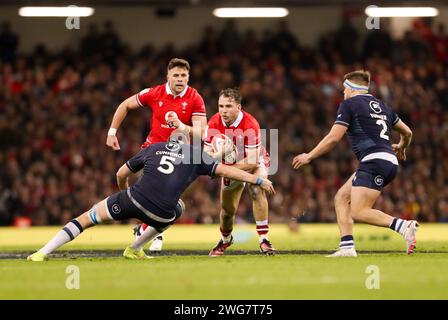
[(299, 271)]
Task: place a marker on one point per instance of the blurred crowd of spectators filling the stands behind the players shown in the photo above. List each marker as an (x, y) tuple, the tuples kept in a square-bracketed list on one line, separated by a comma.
[(56, 108)]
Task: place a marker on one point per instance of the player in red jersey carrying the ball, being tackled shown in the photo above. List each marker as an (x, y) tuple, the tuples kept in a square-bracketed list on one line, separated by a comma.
[(244, 129)]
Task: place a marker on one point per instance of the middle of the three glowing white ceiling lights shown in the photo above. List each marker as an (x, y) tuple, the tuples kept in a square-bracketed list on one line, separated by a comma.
[(250, 12)]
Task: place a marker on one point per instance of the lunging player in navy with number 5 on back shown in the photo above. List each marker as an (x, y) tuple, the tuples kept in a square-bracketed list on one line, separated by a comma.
[(168, 169)]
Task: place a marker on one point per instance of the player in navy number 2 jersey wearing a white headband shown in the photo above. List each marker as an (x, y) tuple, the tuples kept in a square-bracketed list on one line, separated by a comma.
[(368, 123)]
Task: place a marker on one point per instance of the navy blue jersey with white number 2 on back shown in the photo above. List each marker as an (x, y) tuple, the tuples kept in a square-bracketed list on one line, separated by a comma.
[(369, 121)]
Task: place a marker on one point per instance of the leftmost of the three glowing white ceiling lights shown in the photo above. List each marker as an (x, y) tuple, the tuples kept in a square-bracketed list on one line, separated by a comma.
[(70, 11)]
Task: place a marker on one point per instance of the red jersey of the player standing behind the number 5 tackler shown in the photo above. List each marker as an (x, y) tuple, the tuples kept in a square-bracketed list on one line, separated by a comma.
[(161, 100)]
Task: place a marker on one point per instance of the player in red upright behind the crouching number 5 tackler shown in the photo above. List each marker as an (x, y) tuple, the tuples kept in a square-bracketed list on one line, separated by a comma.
[(174, 105)]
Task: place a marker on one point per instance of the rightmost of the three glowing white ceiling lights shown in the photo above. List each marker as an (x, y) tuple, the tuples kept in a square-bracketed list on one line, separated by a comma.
[(378, 12)]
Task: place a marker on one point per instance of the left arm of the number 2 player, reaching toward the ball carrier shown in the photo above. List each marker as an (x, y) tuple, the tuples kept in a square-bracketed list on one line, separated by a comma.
[(326, 144)]
